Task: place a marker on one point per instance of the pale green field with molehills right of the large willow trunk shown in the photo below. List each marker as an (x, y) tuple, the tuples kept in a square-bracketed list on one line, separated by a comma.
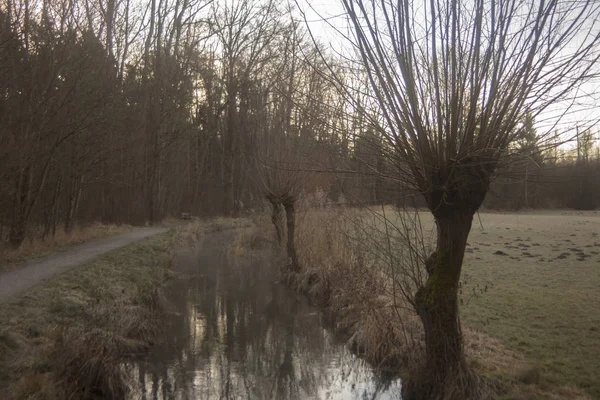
[(543, 306)]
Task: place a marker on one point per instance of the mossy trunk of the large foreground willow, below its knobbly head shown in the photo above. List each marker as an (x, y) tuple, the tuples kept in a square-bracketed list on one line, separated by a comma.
[(446, 374)]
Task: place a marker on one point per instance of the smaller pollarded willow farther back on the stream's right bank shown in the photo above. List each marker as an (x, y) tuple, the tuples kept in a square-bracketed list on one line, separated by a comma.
[(288, 127)]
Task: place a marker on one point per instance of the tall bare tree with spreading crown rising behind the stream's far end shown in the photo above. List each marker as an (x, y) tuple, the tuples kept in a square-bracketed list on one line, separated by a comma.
[(246, 31)]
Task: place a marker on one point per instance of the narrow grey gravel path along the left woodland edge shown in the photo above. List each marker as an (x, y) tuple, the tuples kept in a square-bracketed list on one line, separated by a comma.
[(37, 271)]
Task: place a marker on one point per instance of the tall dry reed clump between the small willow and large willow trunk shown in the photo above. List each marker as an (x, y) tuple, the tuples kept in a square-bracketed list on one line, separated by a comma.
[(340, 272)]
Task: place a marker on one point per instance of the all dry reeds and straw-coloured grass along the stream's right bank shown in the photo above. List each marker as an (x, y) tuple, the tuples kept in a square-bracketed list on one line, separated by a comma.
[(355, 293)]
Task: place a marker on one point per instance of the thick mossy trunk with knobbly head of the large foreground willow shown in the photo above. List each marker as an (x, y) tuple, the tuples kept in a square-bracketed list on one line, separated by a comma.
[(458, 192)]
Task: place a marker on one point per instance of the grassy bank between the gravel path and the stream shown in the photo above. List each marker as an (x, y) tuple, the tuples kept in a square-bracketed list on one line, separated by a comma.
[(68, 337)]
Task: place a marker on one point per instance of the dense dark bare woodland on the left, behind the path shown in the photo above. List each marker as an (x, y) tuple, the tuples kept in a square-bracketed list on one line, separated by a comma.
[(128, 112)]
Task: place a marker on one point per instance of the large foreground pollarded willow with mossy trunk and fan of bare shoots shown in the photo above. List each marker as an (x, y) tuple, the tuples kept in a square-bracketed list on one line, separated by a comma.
[(452, 80)]
